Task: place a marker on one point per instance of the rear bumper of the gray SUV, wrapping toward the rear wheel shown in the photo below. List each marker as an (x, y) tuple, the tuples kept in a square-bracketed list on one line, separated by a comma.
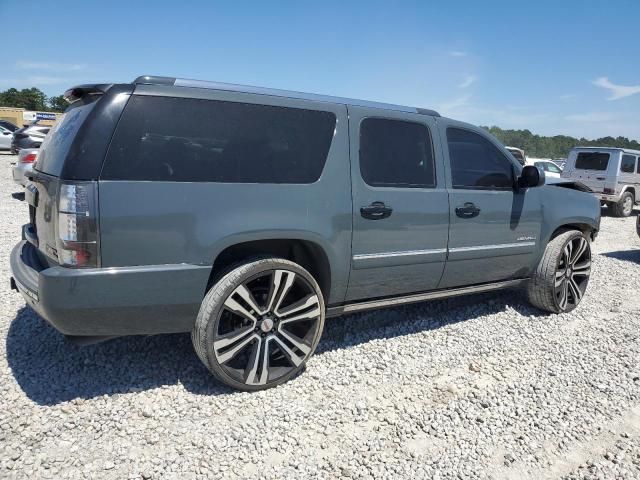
[(110, 301)]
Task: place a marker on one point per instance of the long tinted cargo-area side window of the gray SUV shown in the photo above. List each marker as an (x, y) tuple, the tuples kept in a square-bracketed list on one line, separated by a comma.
[(192, 140)]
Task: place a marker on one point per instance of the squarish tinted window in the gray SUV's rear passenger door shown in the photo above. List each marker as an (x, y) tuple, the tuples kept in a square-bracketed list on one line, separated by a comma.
[(395, 153)]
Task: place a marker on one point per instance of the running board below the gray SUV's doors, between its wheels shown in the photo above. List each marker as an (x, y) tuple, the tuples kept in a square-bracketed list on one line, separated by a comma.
[(422, 297)]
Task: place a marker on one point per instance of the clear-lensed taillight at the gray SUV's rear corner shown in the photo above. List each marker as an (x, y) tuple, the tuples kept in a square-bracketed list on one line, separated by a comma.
[(77, 225)]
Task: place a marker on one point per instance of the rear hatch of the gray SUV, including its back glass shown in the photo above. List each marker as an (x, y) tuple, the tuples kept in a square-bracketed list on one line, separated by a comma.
[(44, 189)]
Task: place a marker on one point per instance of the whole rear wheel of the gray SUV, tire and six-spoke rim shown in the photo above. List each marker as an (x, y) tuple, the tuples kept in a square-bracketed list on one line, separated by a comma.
[(259, 324)]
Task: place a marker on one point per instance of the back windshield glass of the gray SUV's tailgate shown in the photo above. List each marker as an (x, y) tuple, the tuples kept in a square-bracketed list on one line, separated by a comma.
[(56, 145)]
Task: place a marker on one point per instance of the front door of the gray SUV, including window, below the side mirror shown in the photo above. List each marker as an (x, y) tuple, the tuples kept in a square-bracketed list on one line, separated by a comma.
[(494, 229)]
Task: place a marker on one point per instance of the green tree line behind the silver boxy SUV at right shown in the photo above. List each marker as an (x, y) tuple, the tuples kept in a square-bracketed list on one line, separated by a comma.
[(557, 146)]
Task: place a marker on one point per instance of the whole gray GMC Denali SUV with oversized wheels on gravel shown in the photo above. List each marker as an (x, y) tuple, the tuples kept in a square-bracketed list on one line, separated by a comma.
[(246, 216)]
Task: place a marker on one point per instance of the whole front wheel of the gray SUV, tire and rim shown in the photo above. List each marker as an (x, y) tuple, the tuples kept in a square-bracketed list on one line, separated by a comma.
[(561, 279)]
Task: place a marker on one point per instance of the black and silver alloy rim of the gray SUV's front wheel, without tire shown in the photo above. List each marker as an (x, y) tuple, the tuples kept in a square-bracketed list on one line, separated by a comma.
[(572, 273)]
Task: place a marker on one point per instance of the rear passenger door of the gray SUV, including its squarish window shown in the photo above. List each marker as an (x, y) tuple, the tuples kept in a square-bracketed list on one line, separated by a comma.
[(400, 204)]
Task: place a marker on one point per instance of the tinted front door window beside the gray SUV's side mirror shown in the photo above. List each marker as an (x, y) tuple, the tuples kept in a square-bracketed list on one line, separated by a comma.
[(476, 162)]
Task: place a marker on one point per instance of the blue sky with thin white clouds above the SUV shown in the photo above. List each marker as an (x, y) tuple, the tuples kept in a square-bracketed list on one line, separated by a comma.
[(569, 67)]
